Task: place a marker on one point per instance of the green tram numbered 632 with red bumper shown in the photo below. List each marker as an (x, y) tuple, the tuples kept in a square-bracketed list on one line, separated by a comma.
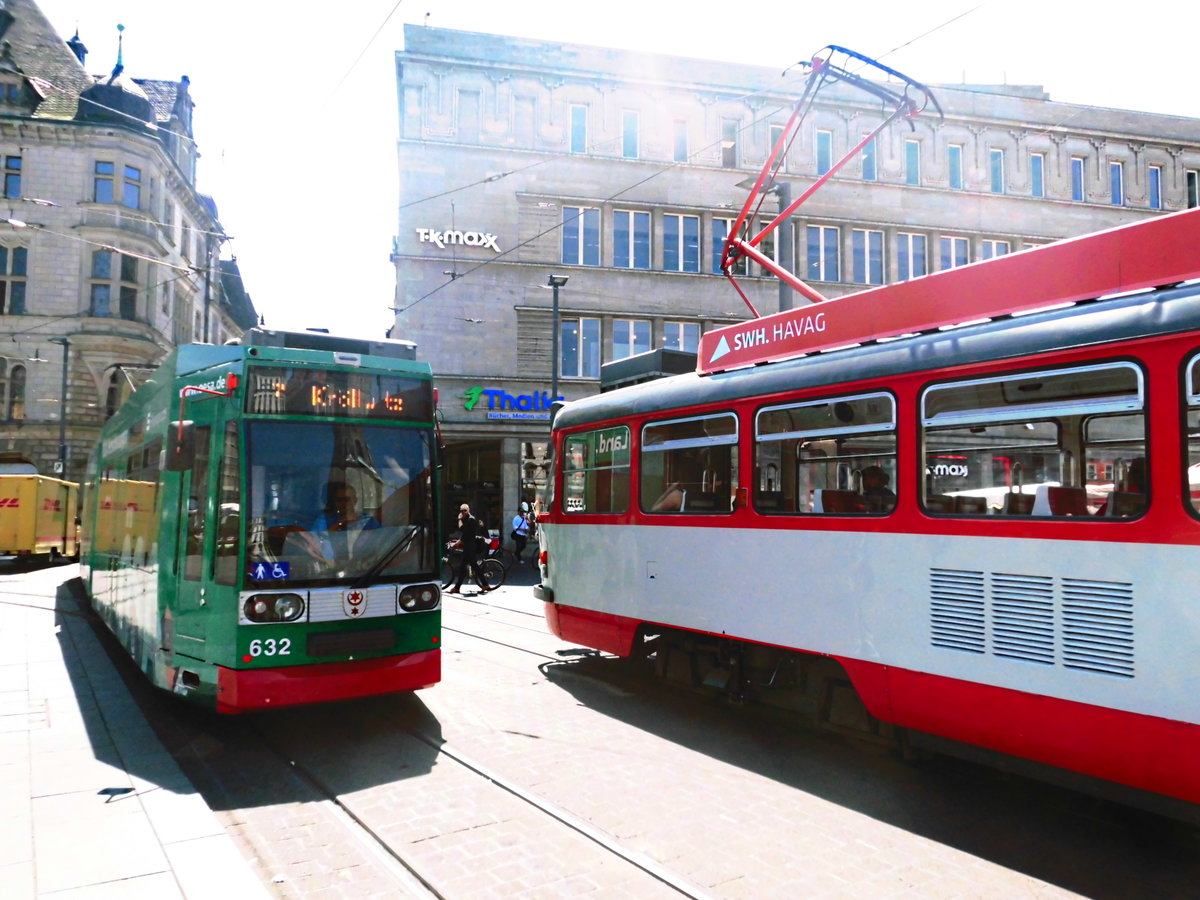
[(260, 524)]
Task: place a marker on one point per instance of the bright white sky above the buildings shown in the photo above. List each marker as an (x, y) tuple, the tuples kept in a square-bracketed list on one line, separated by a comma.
[(296, 104)]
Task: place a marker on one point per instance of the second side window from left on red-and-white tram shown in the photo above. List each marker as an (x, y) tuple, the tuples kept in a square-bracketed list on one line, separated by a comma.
[(689, 465)]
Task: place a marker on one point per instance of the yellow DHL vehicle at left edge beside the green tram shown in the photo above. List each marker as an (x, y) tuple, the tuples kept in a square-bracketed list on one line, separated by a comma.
[(39, 518)]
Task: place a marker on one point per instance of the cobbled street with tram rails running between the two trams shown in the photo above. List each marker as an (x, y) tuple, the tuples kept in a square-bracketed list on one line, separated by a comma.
[(731, 802)]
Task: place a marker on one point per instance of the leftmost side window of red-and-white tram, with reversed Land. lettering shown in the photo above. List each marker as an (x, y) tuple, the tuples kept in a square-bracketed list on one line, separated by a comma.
[(596, 471)]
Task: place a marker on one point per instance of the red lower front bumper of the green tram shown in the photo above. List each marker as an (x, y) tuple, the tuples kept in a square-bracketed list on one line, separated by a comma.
[(242, 691)]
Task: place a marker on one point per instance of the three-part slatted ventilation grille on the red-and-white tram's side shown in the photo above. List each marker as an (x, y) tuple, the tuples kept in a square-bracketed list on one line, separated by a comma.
[(1076, 623)]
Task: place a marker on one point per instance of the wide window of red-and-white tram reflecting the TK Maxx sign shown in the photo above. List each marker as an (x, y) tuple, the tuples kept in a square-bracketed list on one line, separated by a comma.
[(1033, 443)]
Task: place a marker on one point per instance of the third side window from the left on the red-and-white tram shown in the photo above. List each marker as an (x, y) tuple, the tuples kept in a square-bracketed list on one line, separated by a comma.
[(827, 457)]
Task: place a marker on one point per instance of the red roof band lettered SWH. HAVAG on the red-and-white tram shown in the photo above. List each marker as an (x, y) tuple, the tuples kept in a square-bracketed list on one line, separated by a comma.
[(1145, 255)]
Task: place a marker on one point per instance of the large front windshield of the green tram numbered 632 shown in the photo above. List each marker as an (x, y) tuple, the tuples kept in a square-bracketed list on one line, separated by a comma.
[(299, 529)]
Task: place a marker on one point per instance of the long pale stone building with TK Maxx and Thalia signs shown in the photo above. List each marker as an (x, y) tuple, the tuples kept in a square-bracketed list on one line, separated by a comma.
[(523, 160)]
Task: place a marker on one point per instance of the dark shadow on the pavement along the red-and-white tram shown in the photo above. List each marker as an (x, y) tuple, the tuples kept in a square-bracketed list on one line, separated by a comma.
[(1090, 847)]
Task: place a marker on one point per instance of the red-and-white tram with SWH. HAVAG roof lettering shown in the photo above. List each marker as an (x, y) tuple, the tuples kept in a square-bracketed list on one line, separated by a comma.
[(1021, 577)]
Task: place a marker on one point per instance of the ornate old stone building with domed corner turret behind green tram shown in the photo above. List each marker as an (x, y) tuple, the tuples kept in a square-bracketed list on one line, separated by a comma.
[(109, 255)]
